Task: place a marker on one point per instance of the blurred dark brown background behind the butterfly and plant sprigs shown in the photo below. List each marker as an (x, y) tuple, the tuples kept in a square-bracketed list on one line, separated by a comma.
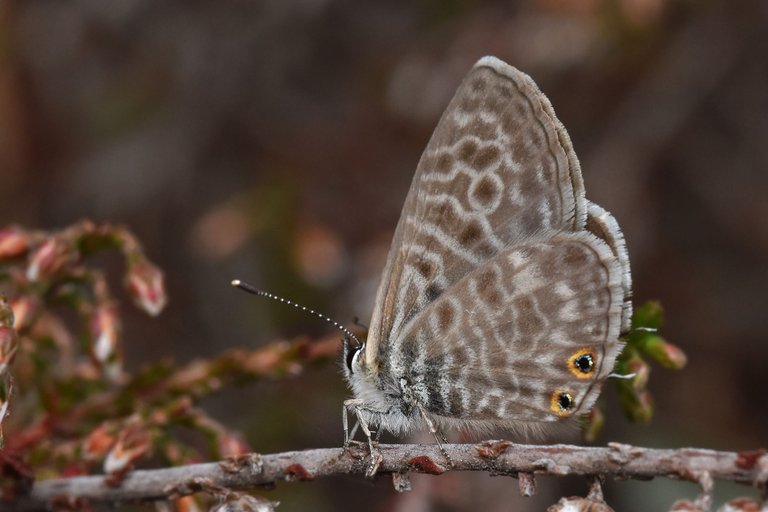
[(275, 141)]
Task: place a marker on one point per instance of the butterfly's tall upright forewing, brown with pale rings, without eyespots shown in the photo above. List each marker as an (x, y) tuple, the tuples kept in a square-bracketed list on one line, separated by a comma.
[(498, 169)]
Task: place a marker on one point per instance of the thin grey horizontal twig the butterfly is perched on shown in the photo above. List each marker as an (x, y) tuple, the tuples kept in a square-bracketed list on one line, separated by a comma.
[(496, 457)]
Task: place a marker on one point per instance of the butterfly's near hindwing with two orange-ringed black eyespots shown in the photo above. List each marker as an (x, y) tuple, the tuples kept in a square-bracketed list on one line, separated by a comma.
[(538, 318)]
